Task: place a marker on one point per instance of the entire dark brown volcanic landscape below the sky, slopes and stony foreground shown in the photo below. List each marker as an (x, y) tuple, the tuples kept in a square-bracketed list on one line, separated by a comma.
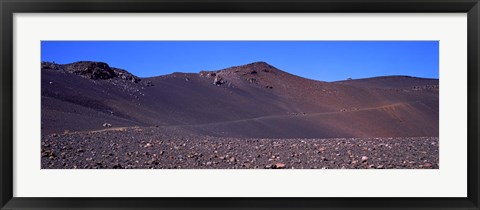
[(250, 116)]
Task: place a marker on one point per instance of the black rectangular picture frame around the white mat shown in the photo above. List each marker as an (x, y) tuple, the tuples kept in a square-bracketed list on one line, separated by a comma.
[(9, 7)]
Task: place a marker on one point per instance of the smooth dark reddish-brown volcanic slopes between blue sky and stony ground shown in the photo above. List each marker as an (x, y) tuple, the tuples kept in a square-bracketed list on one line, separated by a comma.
[(255, 100)]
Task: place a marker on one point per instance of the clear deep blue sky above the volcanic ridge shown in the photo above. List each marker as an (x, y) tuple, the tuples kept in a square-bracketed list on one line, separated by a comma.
[(319, 60)]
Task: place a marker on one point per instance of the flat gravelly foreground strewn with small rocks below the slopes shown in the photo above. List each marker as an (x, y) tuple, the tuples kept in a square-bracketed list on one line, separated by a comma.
[(157, 147)]
